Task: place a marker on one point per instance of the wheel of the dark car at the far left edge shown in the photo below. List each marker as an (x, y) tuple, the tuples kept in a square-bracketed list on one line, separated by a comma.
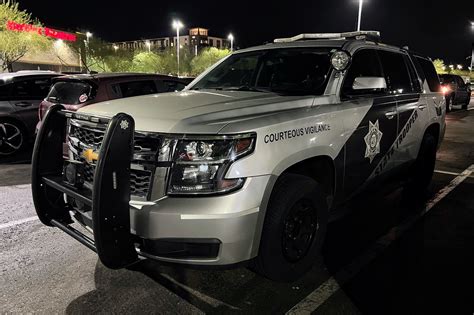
[(12, 137)]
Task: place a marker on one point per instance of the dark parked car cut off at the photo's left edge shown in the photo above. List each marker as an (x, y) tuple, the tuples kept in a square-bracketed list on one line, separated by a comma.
[(20, 95)]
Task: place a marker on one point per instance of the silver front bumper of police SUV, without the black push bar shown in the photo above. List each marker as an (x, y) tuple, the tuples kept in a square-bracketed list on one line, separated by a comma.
[(232, 220)]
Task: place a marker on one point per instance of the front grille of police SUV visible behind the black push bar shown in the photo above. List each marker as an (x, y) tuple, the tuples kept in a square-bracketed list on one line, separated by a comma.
[(140, 179)]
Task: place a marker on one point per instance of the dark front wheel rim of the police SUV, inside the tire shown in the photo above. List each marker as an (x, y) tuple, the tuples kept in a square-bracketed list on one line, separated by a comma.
[(299, 230)]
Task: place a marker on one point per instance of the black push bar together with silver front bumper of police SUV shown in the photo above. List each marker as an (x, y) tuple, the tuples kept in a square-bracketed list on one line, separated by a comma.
[(217, 230)]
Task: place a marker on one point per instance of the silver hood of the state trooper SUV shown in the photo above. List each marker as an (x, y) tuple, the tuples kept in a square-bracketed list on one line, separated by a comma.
[(196, 111)]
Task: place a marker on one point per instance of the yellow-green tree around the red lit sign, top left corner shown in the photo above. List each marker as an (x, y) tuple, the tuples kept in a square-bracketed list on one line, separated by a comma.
[(15, 44)]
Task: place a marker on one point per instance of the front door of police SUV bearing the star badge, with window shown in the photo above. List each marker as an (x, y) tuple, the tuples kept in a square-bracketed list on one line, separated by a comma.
[(371, 119)]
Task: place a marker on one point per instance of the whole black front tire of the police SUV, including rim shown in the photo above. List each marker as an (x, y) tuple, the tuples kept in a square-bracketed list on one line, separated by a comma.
[(294, 229)]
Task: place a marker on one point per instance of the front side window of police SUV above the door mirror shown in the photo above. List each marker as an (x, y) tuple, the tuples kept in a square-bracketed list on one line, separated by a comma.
[(365, 63)]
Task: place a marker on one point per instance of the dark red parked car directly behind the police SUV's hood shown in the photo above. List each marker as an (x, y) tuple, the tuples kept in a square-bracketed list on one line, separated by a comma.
[(79, 90)]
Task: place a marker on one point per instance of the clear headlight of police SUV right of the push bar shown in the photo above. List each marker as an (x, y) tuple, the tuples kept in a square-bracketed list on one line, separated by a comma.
[(200, 164)]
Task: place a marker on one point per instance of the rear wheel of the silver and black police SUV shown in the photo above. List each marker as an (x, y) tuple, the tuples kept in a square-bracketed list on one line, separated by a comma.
[(423, 168)]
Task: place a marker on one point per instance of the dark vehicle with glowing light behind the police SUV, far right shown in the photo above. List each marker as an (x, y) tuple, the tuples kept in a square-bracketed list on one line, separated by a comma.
[(456, 91)]
